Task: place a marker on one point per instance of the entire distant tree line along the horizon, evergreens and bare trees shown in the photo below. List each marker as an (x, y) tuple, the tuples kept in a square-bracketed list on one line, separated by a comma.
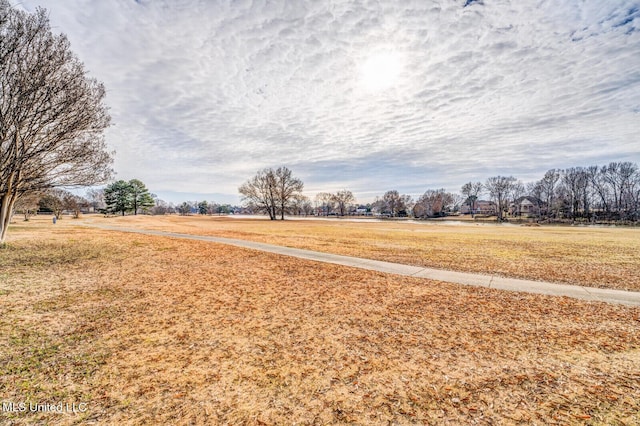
[(589, 194)]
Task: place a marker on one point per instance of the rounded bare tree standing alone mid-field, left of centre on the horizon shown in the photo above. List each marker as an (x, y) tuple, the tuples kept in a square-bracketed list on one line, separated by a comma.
[(271, 191)]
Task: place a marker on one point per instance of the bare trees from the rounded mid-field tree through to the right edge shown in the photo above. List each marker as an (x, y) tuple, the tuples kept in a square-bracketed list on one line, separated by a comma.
[(610, 192)]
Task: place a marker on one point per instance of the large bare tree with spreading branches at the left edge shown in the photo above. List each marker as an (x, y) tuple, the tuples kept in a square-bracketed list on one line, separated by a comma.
[(52, 116)]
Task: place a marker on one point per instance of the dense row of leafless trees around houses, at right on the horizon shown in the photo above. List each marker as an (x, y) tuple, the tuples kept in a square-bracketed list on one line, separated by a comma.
[(609, 192)]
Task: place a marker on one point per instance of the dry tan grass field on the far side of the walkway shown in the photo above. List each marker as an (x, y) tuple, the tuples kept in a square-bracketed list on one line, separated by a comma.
[(593, 257)]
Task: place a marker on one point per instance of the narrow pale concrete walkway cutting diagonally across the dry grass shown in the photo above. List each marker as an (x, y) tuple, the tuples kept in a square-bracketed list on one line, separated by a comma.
[(491, 281)]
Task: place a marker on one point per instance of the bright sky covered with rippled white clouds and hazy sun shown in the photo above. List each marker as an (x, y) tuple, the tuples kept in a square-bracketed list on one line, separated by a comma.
[(366, 95)]
